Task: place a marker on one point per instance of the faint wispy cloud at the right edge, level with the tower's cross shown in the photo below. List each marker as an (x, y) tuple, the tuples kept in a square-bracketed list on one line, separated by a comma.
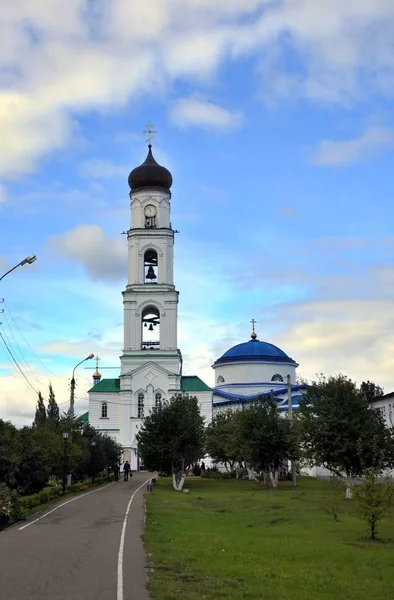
[(372, 141)]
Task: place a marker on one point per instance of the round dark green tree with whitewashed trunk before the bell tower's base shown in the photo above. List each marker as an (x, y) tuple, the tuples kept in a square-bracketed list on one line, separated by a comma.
[(172, 437)]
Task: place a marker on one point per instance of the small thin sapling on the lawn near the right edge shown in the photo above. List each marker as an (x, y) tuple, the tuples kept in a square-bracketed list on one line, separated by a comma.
[(373, 499)]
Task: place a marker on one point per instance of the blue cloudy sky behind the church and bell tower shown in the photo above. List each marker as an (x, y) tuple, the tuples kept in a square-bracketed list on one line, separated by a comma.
[(275, 118)]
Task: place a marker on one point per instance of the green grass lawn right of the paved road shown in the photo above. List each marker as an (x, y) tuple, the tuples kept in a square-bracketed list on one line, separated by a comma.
[(230, 539)]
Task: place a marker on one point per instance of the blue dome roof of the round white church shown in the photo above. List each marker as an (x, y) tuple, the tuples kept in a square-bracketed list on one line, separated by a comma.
[(255, 351)]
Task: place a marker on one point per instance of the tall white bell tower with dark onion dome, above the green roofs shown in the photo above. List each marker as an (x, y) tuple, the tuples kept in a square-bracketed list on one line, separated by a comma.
[(150, 300)]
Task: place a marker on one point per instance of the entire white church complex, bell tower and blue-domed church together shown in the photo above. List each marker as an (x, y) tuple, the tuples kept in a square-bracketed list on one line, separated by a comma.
[(151, 363)]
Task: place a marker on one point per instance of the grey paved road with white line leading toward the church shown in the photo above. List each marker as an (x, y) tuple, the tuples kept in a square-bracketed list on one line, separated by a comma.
[(73, 552)]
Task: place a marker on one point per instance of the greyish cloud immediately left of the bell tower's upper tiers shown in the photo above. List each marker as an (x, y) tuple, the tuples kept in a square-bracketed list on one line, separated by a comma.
[(103, 258)]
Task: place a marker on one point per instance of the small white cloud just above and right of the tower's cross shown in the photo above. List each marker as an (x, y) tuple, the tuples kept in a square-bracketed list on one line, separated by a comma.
[(196, 111)]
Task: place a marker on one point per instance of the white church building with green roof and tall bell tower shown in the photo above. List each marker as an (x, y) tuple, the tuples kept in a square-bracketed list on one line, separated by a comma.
[(151, 362)]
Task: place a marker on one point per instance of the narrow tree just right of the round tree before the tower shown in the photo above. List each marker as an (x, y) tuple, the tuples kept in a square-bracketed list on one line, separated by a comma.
[(221, 439)]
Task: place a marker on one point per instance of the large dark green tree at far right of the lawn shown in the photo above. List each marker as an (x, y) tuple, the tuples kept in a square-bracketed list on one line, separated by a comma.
[(340, 431)]
